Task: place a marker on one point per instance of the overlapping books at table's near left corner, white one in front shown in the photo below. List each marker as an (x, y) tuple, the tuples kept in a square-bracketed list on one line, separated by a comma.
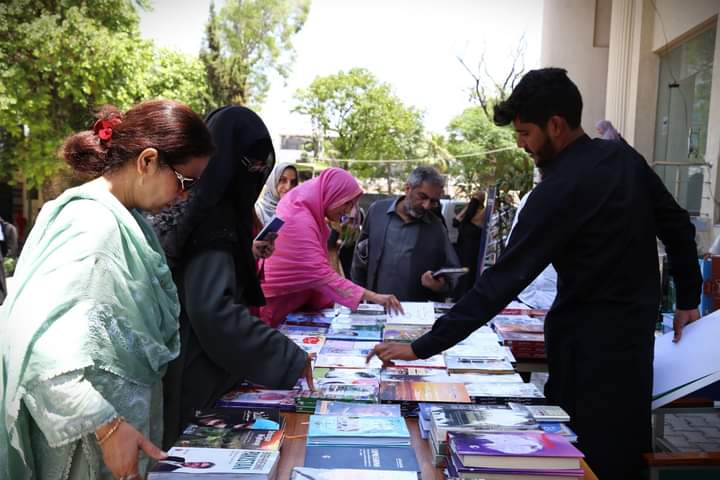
[(226, 443)]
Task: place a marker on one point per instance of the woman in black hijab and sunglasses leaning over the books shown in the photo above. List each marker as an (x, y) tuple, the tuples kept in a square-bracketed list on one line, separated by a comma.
[(208, 243)]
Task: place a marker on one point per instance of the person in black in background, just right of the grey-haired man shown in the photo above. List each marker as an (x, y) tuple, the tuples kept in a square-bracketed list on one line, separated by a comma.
[(469, 222)]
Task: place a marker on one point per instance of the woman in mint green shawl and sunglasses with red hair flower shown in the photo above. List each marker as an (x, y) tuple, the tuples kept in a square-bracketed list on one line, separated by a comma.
[(92, 322)]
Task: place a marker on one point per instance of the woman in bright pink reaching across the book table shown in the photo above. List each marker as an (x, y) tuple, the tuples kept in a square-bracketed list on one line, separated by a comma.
[(299, 277)]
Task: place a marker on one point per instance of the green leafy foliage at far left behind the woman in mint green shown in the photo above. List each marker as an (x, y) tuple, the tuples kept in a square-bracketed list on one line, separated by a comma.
[(61, 60)]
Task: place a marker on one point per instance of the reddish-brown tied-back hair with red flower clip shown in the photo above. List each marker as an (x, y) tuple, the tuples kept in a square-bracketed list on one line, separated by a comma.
[(172, 128)]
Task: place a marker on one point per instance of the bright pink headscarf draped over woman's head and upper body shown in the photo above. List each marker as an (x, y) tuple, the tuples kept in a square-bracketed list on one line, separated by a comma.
[(300, 260)]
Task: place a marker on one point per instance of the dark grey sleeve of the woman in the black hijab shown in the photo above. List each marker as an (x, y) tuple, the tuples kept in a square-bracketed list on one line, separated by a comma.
[(231, 337)]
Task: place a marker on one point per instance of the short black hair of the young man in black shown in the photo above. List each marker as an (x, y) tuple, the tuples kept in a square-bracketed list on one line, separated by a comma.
[(541, 94)]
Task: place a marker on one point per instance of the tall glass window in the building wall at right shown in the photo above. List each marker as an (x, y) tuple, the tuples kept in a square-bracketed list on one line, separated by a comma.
[(683, 110)]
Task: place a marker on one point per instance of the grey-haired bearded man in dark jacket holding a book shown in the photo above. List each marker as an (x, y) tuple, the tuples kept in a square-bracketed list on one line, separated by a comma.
[(402, 242)]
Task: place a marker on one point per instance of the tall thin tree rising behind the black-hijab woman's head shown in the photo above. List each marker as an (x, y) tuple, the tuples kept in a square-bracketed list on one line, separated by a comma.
[(247, 42)]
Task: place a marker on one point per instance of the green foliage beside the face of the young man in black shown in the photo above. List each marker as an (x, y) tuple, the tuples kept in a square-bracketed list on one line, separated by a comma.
[(470, 134)]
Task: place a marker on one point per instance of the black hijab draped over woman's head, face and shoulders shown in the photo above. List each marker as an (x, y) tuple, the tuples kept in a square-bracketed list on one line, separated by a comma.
[(218, 213)]
